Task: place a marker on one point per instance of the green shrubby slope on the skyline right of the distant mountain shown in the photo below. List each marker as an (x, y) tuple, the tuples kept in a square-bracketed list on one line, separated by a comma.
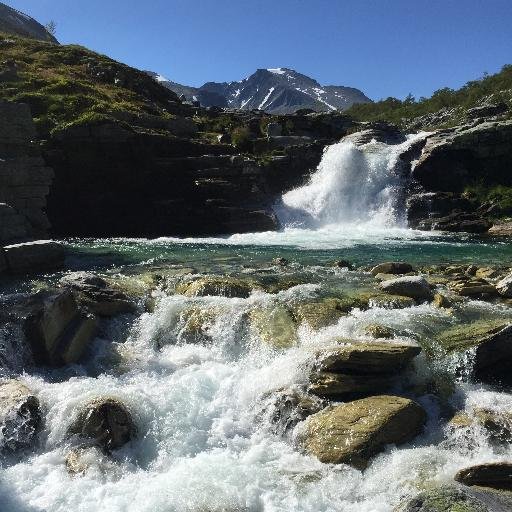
[(452, 103)]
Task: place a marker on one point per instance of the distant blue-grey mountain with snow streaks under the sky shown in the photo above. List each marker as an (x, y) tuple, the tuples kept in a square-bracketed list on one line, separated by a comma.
[(277, 91)]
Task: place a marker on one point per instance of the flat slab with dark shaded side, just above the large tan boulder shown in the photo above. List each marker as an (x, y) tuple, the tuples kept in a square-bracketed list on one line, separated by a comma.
[(366, 358)]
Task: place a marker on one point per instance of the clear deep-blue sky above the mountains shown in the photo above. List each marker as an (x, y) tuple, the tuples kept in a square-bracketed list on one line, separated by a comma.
[(383, 47)]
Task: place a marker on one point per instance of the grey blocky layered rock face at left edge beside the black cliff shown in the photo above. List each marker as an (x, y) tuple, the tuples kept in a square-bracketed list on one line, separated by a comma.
[(25, 179)]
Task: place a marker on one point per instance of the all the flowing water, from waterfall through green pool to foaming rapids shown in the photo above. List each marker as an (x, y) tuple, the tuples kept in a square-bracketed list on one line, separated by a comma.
[(205, 442)]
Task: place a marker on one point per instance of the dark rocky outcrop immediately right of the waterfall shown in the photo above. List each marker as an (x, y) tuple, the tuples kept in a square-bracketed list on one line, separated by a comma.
[(451, 160)]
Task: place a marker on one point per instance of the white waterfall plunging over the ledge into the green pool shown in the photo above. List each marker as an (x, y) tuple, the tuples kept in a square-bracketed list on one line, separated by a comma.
[(353, 184)]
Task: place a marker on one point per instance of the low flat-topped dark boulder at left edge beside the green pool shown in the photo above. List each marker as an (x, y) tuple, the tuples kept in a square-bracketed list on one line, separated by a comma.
[(39, 256)]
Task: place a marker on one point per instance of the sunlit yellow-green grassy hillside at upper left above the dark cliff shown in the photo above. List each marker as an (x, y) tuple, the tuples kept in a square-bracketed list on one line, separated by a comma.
[(66, 84)]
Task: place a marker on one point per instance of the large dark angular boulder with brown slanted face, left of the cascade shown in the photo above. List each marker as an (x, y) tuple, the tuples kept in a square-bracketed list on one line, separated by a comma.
[(58, 331)]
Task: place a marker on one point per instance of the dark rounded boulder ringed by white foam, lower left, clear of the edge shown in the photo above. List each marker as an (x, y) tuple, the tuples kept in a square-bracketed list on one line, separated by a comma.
[(105, 422)]
